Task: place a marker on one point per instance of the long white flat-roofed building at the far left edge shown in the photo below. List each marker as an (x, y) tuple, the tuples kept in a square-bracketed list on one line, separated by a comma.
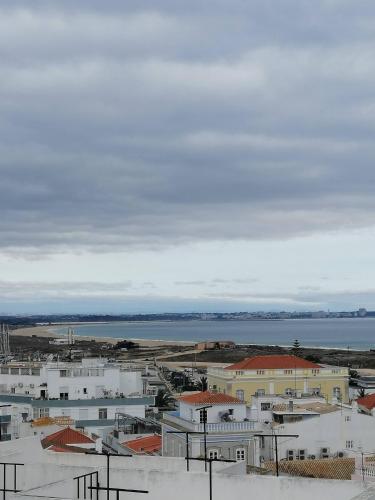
[(92, 378)]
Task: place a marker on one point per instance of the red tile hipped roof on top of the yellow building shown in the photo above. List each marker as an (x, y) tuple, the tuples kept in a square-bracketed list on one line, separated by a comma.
[(272, 362)]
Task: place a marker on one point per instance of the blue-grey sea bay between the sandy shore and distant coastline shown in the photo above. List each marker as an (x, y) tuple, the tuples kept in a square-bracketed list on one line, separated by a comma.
[(339, 333)]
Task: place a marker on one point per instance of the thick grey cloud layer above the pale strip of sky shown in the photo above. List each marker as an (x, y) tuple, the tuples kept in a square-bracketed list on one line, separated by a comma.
[(135, 127)]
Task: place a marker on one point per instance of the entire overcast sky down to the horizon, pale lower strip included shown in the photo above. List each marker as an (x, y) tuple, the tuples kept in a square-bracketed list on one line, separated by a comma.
[(178, 156)]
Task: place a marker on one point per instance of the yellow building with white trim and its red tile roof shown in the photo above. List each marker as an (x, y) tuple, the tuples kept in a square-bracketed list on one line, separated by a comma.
[(280, 374)]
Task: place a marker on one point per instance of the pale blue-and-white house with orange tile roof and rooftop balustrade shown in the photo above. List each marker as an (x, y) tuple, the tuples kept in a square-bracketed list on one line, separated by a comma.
[(229, 432)]
